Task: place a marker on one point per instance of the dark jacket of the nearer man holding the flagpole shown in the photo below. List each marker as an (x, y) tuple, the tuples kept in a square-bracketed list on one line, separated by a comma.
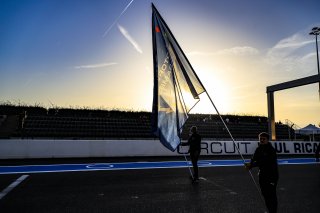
[(265, 157)]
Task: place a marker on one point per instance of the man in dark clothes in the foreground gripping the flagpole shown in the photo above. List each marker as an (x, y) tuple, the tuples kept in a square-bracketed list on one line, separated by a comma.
[(265, 157)]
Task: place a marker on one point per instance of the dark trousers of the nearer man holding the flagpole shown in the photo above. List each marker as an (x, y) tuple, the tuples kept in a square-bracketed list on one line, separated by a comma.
[(269, 193)]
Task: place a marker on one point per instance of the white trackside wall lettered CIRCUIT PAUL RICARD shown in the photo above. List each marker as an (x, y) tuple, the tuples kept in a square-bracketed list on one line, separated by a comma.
[(20, 149)]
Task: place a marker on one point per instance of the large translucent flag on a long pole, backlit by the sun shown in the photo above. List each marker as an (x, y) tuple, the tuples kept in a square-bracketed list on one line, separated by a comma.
[(176, 85)]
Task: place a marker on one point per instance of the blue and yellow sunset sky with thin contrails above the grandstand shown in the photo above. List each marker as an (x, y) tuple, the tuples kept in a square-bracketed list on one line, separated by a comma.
[(98, 53)]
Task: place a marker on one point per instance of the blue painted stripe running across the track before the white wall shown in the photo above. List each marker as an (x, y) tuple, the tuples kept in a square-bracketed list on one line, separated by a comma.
[(135, 165)]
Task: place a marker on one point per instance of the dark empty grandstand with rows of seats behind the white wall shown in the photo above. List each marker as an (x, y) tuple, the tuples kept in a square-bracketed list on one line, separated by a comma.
[(35, 122)]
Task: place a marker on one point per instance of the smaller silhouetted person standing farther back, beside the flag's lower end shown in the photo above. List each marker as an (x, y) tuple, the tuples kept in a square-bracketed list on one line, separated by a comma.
[(194, 143)]
